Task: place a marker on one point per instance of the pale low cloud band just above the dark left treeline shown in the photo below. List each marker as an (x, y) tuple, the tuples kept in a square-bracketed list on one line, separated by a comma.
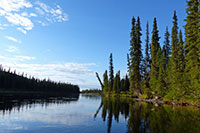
[(76, 73)]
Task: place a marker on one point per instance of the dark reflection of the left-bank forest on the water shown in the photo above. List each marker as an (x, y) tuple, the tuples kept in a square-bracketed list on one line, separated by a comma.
[(17, 102)]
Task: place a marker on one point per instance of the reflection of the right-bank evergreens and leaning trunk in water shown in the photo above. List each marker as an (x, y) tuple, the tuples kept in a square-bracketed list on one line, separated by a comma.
[(144, 118)]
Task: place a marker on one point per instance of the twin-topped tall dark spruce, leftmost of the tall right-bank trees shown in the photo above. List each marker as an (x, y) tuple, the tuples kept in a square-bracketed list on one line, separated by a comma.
[(136, 56)]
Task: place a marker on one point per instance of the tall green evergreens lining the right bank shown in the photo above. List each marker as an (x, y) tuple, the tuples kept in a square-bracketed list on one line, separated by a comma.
[(169, 72)]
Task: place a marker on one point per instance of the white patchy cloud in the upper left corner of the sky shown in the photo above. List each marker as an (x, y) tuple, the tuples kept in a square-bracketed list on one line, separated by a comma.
[(24, 14)]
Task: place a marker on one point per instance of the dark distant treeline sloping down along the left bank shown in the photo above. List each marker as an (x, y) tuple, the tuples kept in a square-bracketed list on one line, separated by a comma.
[(10, 81)]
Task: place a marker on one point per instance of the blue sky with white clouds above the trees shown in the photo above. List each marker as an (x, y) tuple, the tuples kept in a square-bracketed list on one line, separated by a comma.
[(69, 40)]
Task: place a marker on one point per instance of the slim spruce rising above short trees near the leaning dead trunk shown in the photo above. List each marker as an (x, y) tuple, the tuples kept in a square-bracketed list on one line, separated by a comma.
[(111, 74)]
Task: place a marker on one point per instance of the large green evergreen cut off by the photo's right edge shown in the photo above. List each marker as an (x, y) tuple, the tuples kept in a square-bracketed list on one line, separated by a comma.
[(192, 47)]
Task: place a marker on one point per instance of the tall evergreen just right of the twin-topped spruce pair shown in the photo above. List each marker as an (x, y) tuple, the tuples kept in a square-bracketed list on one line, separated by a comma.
[(155, 58)]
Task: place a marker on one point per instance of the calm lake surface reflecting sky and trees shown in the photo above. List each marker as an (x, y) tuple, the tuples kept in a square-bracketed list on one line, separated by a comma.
[(93, 114)]
